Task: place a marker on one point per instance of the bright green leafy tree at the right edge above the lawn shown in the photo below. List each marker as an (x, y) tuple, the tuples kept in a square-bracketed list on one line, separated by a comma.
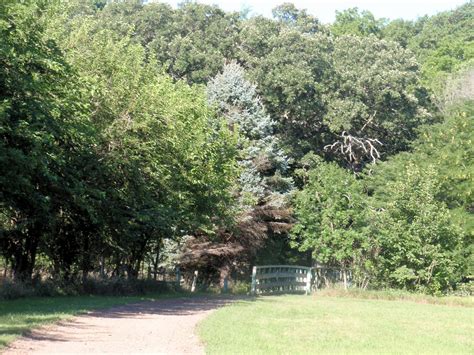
[(422, 185)]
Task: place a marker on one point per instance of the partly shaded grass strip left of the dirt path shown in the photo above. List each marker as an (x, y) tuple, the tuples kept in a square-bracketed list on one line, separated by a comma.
[(21, 315)]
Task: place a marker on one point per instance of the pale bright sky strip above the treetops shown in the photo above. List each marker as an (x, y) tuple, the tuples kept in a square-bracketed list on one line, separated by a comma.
[(324, 10)]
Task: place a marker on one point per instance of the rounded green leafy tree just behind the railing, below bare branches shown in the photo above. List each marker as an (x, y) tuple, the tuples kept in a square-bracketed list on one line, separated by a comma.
[(331, 213)]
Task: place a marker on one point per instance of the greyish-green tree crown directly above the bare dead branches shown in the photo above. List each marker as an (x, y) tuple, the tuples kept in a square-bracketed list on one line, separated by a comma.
[(375, 96)]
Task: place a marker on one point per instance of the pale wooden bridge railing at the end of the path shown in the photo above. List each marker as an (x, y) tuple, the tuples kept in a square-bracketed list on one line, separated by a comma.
[(281, 279)]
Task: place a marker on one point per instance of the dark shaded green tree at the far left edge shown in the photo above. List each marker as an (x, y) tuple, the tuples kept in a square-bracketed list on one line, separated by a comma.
[(44, 142)]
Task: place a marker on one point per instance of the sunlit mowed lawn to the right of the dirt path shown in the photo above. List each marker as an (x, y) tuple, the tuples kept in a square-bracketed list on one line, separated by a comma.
[(328, 325)]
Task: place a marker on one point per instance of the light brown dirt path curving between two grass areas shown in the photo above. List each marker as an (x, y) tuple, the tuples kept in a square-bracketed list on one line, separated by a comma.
[(155, 327)]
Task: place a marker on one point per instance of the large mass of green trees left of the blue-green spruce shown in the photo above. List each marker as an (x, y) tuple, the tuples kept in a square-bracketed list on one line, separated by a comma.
[(102, 155)]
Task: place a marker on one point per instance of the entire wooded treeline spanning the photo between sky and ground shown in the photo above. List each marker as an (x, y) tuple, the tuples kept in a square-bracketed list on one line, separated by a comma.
[(133, 133)]
